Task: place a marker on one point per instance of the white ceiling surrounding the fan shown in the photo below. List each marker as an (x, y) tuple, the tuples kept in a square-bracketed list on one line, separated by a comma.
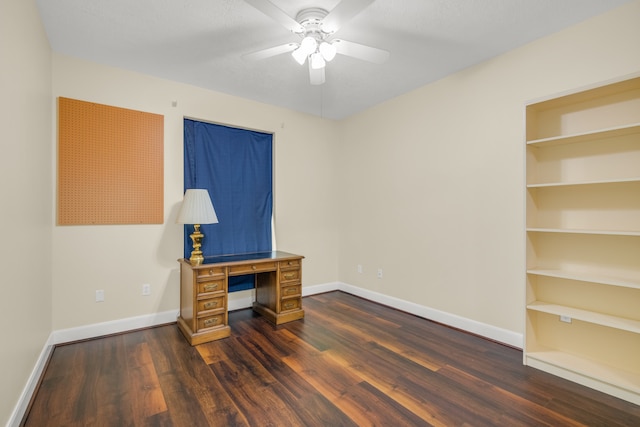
[(200, 42)]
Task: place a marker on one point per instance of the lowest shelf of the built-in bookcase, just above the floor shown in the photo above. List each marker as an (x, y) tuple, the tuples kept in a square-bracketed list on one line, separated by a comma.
[(593, 371)]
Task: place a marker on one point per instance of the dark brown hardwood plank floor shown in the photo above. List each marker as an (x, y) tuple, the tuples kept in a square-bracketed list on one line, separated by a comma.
[(349, 362)]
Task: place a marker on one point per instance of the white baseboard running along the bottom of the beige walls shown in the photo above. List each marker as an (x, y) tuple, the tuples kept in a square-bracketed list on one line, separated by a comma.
[(244, 301)]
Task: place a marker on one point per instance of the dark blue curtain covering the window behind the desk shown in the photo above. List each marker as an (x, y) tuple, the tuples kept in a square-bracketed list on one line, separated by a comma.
[(235, 165)]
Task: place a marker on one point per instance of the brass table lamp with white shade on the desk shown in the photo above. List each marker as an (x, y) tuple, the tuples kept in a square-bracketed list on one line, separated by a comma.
[(196, 209)]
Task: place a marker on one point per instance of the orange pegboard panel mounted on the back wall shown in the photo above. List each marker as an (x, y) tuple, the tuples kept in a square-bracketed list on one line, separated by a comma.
[(110, 165)]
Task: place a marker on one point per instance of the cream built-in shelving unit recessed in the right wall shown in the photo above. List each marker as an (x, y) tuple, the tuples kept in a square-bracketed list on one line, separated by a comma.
[(583, 237)]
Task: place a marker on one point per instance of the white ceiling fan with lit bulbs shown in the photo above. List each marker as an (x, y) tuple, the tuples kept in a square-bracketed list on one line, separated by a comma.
[(316, 26)]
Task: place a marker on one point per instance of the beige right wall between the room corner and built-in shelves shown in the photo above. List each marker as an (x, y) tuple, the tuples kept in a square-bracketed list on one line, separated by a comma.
[(433, 180)]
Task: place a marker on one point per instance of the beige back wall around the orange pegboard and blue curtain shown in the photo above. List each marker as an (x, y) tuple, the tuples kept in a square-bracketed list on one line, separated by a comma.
[(119, 259)]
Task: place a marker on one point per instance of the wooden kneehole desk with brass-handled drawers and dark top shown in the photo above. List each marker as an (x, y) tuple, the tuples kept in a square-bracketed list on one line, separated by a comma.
[(204, 291)]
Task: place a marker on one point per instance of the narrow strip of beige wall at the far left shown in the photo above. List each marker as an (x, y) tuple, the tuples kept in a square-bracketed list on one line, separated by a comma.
[(25, 194)]
